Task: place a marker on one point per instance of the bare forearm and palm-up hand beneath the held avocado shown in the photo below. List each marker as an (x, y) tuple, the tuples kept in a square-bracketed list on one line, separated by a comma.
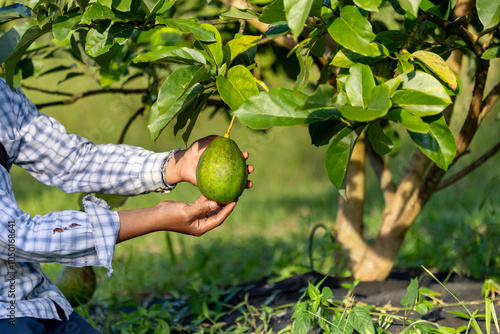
[(193, 218)]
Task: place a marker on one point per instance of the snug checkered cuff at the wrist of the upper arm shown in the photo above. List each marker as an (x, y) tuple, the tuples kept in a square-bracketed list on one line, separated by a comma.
[(154, 171)]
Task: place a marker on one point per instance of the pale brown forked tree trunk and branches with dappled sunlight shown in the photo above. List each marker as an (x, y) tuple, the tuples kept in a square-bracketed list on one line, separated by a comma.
[(404, 204)]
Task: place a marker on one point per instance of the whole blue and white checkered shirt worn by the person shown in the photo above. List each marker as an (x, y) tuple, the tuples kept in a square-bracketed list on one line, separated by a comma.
[(42, 146)]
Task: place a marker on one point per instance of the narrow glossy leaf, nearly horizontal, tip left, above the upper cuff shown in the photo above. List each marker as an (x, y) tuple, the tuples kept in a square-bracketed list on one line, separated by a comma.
[(172, 54)]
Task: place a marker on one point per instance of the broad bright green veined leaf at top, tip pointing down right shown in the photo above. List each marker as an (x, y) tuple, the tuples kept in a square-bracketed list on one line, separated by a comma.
[(353, 31)]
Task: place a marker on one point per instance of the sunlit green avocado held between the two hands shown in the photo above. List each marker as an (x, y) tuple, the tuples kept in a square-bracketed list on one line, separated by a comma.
[(222, 173)]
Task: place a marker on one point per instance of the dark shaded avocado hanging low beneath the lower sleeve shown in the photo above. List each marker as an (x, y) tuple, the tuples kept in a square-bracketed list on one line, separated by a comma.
[(77, 284)]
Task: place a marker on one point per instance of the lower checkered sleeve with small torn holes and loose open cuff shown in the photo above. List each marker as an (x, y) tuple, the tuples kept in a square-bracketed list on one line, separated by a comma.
[(73, 238)]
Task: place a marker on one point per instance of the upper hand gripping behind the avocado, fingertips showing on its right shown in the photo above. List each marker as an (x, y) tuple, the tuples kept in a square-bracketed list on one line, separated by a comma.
[(182, 166)]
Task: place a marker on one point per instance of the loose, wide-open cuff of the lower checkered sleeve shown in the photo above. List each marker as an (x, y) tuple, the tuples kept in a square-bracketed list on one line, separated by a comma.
[(105, 225)]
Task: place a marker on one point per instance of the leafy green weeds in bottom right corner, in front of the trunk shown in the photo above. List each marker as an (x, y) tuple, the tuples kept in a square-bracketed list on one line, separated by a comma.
[(318, 309)]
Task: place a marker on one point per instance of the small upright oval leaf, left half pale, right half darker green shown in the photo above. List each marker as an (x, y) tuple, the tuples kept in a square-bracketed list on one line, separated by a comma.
[(359, 85)]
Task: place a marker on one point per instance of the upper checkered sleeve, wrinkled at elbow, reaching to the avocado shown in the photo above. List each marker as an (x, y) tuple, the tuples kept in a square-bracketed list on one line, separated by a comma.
[(41, 145)]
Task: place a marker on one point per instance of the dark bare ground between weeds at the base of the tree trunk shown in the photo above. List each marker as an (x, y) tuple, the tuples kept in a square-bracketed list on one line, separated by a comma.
[(388, 292)]
